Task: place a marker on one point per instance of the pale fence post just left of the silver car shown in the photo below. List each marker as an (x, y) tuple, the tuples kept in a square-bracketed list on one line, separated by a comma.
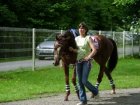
[(33, 49)]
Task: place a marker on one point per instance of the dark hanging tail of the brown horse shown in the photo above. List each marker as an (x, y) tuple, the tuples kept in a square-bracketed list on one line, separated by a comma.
[(112, 62)]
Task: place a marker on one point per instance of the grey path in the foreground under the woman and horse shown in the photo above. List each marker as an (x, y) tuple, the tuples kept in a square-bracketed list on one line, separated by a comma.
[(123, 97)]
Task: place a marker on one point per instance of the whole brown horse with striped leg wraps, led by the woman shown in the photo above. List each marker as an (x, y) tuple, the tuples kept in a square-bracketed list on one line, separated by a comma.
[(106, 56)]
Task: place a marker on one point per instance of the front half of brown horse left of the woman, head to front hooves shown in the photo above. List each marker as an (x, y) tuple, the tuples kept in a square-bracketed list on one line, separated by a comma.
[(61, 52)]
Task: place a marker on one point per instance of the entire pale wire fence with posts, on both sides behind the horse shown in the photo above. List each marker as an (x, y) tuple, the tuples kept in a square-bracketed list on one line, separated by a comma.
[(20, 43)]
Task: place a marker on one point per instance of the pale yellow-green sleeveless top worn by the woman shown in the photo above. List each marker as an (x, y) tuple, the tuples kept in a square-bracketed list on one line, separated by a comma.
[(83, 46)]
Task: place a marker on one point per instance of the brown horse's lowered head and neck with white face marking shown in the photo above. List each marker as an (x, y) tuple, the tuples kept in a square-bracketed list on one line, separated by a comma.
[(61, 46)]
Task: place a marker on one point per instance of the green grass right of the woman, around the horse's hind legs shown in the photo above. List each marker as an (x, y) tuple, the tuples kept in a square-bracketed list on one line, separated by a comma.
[(125, 75)]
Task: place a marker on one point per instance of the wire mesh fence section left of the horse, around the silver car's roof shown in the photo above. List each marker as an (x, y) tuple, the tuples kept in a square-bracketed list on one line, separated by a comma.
[(17, 42)]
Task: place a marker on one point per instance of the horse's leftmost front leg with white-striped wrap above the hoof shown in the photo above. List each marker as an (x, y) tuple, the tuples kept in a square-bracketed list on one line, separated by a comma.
[(66, 71)]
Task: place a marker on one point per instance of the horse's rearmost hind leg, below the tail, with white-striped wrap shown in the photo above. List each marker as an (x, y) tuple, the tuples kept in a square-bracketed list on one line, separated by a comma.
[(108, 74)]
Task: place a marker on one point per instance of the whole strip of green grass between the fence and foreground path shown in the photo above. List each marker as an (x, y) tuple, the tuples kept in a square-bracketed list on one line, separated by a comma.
[(26, 84)]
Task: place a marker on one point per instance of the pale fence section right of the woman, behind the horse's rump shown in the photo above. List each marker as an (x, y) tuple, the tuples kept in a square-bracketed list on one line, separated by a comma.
[(128, 43)]
